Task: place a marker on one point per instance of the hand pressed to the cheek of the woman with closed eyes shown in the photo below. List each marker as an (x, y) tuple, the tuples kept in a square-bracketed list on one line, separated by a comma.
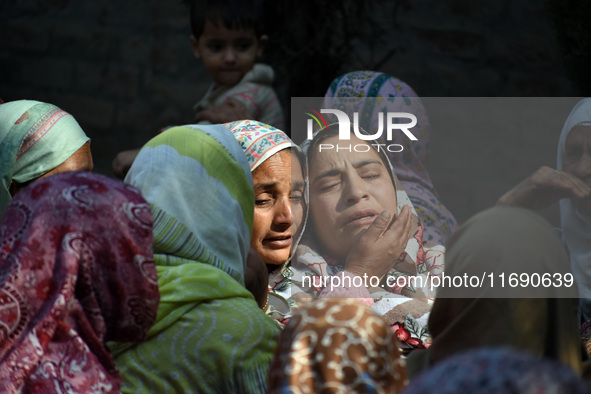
[(377, 249)]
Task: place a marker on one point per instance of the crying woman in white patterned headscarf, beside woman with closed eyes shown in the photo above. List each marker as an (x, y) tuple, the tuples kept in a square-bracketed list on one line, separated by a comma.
[(278, 168)]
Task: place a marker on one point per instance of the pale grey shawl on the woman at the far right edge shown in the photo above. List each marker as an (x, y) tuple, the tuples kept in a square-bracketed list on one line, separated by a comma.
[(576, 226)]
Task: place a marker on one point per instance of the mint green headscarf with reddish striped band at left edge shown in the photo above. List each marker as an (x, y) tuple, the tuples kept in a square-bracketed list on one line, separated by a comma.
[(35, 138)]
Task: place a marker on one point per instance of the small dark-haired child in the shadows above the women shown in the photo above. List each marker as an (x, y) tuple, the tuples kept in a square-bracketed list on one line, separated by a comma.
[(228, 38)]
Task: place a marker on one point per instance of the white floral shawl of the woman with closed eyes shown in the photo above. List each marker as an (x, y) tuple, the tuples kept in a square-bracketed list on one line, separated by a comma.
[(404, 308)]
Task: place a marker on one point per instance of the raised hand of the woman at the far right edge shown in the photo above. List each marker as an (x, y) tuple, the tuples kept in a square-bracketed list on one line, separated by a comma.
[(545, 187)]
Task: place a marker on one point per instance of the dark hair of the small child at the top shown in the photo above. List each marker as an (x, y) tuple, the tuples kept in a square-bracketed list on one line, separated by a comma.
[(234, 14)]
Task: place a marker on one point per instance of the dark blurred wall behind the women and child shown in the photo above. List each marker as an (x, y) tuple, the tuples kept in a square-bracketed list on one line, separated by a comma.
[(124, 69)]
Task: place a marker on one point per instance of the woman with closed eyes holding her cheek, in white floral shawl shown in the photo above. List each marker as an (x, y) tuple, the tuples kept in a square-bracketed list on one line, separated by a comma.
[(363, 238)]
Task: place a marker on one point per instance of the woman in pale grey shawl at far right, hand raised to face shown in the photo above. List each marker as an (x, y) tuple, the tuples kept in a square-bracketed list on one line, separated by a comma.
[(570, 184)]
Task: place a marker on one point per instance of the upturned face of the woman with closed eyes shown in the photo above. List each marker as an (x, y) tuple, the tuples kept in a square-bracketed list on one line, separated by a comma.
[(348, 190)]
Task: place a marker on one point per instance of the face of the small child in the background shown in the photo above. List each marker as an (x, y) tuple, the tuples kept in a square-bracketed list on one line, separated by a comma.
[(227, 54)]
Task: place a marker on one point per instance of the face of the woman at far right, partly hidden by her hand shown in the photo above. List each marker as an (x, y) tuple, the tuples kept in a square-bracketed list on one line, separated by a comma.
[(577, 161)]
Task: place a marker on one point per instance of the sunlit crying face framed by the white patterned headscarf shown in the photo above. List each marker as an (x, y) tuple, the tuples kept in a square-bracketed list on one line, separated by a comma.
[(272, 229)]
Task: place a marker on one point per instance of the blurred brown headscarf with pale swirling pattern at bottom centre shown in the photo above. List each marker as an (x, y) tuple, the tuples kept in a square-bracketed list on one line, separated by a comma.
[(337, 345)]
